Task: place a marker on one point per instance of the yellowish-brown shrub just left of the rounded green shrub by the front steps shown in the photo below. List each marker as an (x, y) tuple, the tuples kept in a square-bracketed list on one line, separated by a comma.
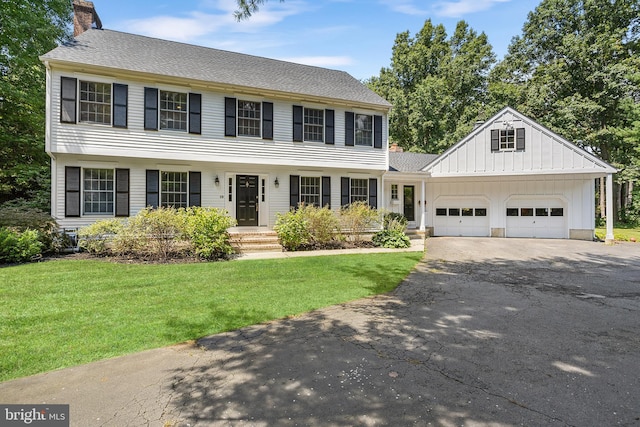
[(153, 234)]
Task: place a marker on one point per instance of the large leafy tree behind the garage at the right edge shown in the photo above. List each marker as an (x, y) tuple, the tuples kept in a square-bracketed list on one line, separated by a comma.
[(576, 69)]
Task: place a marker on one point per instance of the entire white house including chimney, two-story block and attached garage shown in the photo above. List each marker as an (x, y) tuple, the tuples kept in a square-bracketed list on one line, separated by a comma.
[(134, 121)]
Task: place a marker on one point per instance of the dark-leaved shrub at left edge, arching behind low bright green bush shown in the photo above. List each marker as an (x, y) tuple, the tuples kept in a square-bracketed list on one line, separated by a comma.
[(22, 216)]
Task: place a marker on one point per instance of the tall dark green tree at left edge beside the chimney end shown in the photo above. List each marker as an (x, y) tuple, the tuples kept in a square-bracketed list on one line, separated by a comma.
[(28, 28)]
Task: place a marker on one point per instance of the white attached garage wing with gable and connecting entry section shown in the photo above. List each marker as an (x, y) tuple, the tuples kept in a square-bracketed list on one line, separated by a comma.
[(510, 177)]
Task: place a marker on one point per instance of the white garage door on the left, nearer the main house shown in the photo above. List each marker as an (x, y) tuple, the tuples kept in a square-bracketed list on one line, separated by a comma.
[(461, 217)]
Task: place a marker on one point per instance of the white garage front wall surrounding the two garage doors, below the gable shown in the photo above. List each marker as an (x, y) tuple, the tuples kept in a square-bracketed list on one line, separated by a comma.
[(575, 191)]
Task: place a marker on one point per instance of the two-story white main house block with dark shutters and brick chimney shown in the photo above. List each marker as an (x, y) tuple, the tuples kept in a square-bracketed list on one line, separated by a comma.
[(134, 121)]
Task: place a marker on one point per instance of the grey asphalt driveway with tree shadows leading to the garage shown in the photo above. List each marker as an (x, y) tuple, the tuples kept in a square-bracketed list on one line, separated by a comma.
[(485, 332)]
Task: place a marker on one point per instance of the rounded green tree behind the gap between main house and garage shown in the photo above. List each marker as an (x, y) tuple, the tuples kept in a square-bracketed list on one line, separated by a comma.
[(437, 85)]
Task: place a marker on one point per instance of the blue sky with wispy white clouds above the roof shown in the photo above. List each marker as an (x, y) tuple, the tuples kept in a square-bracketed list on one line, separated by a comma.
[(355, 36)]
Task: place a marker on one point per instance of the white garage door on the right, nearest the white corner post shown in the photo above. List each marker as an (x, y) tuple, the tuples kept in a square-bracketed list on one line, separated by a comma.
[(544, 218)]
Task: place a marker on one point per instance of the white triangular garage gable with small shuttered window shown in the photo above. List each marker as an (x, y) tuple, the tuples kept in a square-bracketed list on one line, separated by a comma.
[(512, 144)]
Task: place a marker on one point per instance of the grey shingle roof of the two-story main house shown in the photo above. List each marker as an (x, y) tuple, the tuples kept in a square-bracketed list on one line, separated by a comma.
[(117, 50)]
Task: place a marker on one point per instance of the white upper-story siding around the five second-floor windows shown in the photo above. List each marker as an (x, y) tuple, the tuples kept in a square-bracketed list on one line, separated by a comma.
[(211, 144)]
